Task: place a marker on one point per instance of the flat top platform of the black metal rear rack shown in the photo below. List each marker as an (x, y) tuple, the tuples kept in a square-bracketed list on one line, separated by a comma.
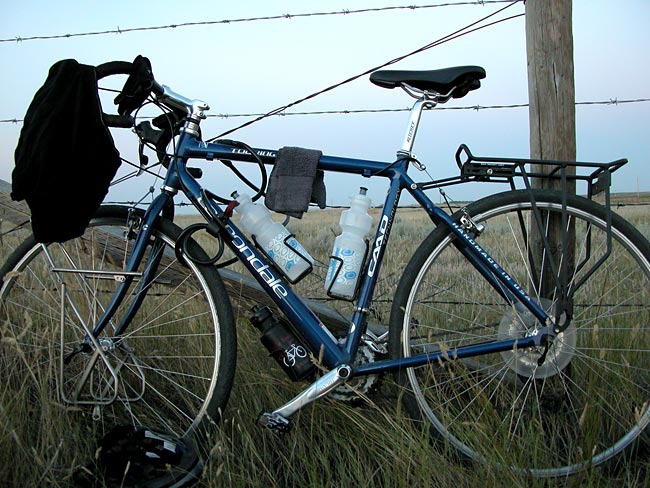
[(510, 170)]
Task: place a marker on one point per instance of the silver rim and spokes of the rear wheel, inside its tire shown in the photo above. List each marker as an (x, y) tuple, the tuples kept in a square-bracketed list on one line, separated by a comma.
[(449, 402)]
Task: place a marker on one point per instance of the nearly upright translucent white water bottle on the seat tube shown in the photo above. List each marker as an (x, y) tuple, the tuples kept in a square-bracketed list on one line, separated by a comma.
[(349, 247)]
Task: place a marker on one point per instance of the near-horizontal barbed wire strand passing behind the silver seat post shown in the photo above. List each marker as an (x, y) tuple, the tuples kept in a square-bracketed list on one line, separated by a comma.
[(476, 108)]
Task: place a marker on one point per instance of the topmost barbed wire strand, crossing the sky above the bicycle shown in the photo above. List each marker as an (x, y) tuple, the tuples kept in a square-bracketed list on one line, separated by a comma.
[(118, 30)]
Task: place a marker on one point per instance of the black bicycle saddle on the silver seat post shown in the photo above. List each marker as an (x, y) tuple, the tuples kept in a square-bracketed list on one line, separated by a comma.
[(460, 79)]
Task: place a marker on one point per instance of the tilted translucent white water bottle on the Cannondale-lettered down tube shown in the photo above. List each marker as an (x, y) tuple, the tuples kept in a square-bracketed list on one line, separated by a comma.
[(273, 238)]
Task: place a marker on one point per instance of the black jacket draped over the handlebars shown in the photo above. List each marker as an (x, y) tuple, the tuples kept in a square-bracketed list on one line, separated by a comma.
[(65, 158)]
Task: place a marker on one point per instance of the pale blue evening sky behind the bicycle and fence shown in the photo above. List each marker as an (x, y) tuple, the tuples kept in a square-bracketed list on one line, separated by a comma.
[(256, 66)]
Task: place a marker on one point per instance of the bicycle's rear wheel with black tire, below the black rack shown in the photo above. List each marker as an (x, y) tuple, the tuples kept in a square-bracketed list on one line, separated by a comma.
[(542, 413)]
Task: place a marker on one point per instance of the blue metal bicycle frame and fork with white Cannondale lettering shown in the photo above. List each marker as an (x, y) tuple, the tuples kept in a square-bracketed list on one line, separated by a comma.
[(319, 339)]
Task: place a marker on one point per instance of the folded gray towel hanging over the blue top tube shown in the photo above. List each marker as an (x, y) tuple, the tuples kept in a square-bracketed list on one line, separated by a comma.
[(295, 181)]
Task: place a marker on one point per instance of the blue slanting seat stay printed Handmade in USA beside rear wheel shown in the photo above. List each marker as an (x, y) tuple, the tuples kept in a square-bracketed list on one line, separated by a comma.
[(479, 257)]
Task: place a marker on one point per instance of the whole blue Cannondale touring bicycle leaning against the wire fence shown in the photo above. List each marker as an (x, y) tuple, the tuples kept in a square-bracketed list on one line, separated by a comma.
[(518, 331)]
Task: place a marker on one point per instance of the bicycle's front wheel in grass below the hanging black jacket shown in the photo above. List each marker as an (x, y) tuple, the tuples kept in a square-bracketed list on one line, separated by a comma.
[(174, 364)]
